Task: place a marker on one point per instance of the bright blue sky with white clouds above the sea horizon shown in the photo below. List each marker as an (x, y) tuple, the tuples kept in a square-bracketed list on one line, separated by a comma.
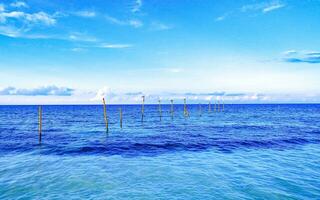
[(237, 51)]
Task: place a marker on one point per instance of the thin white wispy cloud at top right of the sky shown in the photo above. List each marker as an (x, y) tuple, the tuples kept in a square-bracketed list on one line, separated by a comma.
[(263, 7)]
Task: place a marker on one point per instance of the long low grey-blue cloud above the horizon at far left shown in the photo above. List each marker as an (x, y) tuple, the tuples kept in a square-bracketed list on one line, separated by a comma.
[(41, 91)]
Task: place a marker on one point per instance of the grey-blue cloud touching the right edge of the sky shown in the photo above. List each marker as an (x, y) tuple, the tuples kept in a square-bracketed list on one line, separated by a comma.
[(292, 56)]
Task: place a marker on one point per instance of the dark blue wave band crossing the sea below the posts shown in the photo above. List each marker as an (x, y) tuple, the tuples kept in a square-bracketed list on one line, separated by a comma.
[(149, 146)]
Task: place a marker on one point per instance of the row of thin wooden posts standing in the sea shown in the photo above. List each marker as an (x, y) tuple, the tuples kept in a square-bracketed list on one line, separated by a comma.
[(217, 108)]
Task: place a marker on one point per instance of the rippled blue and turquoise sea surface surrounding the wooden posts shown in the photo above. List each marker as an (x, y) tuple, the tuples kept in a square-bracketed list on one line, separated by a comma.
[(243, 152)]
